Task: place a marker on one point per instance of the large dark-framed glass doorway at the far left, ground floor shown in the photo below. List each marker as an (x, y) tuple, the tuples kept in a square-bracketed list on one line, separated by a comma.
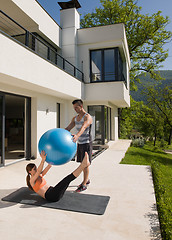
[(15, 128)]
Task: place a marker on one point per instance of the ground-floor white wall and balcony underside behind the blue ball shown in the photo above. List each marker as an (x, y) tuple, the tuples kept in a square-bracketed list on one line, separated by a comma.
[(40, 120)]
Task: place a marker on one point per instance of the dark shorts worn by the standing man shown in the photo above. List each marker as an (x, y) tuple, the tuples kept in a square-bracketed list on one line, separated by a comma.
[(81, 149)]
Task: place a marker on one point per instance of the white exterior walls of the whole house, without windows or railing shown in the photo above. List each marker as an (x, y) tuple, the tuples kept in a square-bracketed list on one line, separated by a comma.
[(25, 73)]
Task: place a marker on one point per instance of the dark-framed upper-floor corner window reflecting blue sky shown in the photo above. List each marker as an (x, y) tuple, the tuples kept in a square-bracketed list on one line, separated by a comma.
[(106, 65)]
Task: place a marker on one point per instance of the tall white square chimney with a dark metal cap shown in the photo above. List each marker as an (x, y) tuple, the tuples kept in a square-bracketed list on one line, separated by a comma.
[(70, 23)]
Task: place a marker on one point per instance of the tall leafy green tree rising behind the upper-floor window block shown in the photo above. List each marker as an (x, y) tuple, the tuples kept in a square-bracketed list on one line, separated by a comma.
[(146, 35)]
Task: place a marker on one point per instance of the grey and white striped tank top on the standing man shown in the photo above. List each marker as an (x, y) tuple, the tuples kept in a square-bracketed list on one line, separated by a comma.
[(86, 136)]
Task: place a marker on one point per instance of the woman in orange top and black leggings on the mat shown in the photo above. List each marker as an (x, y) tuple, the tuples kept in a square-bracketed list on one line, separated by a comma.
[(37, 183)]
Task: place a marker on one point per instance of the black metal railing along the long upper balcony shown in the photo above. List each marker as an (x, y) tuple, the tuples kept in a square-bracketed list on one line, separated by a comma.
[(39, 46)]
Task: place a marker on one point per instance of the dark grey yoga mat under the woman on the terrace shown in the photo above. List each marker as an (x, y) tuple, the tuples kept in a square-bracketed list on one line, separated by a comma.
[(71, 201)]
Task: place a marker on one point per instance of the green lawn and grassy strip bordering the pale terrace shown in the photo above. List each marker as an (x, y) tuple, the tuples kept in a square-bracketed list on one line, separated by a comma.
[(161, 164)]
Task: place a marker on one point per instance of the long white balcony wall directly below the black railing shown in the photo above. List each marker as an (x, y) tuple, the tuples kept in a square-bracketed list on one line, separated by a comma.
[(35, 73)]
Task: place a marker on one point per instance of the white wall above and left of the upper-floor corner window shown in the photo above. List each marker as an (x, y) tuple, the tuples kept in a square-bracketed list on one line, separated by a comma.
[(98, 38)]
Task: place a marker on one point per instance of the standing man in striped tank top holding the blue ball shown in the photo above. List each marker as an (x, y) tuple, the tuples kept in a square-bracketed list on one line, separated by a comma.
[(82, 122)]
